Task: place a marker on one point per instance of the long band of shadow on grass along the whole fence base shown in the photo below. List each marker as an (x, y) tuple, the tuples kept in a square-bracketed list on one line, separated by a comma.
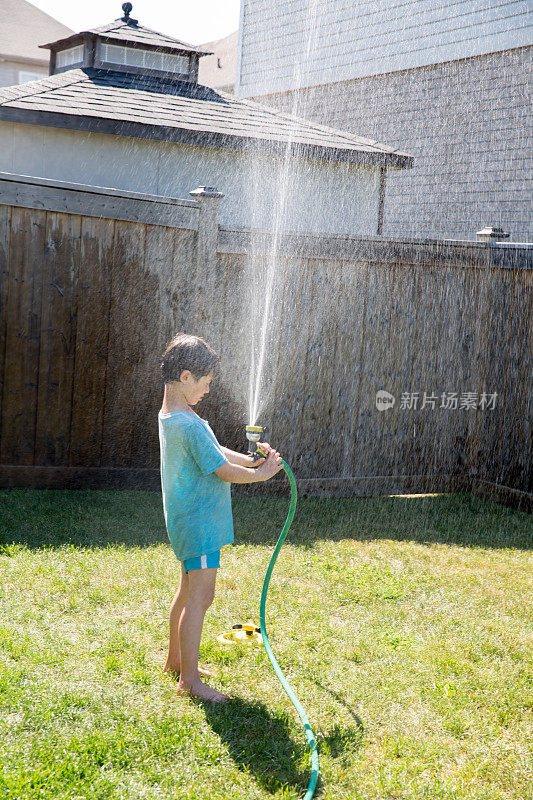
[(134, 518)]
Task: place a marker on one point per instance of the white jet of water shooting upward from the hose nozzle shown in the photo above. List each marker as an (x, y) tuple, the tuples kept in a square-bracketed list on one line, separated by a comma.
[(266, 281)]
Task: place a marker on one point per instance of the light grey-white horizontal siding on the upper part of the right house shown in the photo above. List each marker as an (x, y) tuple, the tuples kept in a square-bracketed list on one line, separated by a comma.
[(288, 44)]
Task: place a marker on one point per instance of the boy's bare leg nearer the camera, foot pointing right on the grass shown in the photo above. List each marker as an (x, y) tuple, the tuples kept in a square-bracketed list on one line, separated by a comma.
[(201, 591)]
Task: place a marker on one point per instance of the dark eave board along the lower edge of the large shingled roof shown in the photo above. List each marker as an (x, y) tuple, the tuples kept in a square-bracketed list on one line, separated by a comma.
[(203, 138)]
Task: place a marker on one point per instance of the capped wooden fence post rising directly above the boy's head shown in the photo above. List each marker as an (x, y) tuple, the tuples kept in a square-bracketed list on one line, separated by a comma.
[(206, 250)]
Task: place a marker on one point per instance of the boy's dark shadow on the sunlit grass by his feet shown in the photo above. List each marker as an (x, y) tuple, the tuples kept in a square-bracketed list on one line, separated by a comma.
[(259, 743)]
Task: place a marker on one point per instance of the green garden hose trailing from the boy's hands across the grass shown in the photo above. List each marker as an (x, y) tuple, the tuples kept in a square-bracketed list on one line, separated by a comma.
[(283, 680)]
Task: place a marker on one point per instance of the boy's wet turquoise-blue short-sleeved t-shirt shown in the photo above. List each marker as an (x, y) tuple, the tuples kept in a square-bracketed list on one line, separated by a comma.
[(196, 502)]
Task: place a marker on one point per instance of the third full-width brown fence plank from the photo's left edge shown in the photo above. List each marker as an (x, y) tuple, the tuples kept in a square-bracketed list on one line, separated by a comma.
[(93, 306)]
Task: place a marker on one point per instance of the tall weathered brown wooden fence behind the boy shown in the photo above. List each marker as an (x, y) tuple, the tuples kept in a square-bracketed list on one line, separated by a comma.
[(89, 299)]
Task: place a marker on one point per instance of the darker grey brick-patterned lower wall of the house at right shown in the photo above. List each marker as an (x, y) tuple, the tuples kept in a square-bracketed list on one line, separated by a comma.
[(468, 125)]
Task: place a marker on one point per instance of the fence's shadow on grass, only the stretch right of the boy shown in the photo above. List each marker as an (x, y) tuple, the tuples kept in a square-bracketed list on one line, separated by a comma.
[(457, 519)]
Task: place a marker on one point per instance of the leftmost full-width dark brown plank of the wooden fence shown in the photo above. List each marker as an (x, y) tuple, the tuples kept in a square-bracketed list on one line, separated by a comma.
[(24, 300)]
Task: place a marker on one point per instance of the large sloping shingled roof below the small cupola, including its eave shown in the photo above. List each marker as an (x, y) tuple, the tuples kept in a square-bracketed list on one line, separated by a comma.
[(154, 108)]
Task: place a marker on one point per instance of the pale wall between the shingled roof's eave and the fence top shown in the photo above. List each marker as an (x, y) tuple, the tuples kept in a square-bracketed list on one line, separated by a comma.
[(321, 197)]
